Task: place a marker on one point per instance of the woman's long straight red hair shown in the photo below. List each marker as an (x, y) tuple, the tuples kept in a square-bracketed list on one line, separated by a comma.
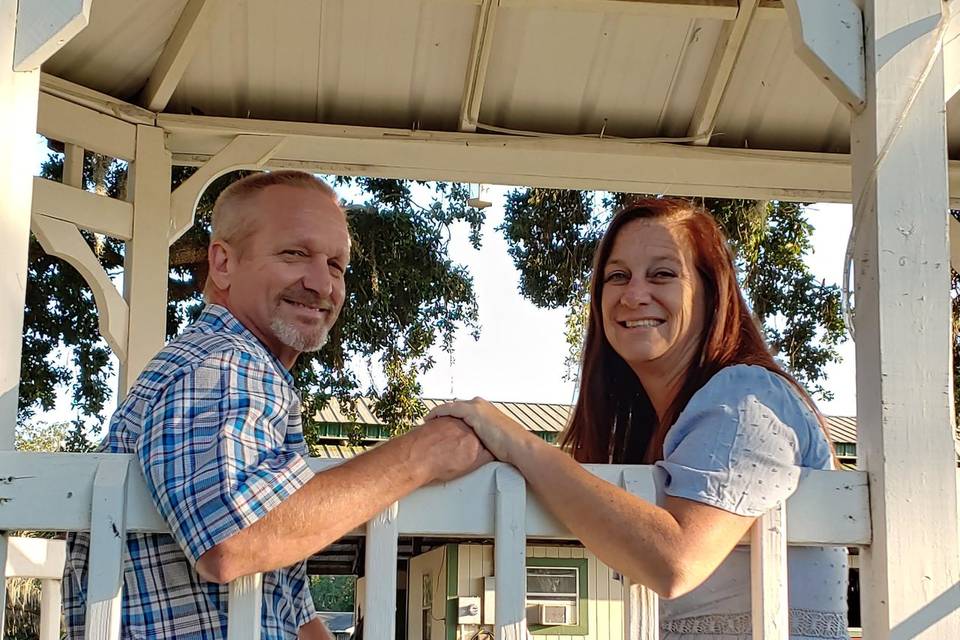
[(613, 420)]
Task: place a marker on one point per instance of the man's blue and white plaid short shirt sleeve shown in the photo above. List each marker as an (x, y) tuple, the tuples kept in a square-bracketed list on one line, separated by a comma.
[(213, 450)]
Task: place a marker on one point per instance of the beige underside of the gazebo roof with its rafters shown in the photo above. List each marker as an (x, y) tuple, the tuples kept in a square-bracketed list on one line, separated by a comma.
[(622, 68)]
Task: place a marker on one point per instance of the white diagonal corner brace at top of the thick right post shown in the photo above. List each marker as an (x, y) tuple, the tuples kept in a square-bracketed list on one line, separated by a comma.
[(828, 37)]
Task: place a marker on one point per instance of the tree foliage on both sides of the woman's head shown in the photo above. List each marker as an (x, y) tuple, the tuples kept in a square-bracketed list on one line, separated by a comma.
[(552, 235)]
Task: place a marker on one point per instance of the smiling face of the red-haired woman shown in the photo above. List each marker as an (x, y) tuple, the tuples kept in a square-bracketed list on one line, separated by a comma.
[(652, 299)]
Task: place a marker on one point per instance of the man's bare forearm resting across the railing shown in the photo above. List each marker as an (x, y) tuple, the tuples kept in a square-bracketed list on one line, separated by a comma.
[(329, 505)]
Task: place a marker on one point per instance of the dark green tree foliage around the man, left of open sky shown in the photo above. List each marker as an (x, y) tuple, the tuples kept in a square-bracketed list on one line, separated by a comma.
[(404, 294)]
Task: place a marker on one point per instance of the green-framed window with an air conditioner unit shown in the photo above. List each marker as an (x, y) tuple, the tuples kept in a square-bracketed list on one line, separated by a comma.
[(557, 586)]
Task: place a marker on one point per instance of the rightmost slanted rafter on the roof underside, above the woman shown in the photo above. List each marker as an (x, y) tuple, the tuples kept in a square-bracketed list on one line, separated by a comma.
[(732, 36)]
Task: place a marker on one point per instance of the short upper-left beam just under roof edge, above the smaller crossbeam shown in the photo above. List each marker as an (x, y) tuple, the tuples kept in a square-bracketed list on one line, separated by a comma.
[(59, 119)]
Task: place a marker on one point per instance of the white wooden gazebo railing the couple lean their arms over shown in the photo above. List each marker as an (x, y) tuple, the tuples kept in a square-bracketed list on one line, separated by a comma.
[(106, 495)]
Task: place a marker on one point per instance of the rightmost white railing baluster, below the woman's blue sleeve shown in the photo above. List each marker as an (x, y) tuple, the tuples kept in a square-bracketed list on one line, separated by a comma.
[(768, 575)]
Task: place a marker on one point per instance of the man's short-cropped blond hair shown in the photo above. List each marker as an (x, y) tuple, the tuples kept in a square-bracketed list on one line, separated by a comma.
[(230, 224)]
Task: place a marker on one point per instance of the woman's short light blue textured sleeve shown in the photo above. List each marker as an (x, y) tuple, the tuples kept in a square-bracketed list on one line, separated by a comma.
[(730, 448)]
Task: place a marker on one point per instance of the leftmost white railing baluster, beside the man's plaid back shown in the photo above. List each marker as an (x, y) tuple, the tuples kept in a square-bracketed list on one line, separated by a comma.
[(108, 545)]
